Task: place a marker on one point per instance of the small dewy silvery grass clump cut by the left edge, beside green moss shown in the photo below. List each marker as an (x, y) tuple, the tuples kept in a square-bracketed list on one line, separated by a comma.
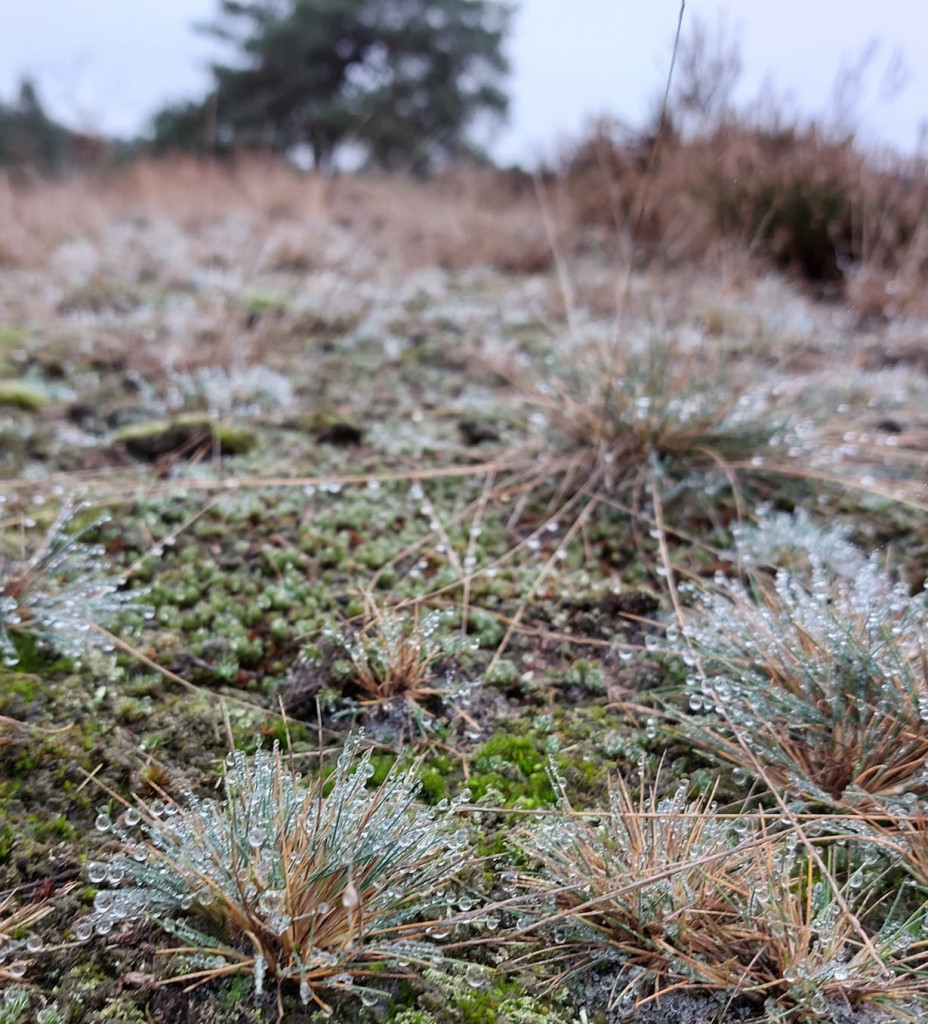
[(60, 591)]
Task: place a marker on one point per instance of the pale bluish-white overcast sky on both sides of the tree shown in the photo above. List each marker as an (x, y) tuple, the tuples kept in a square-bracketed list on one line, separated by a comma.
[(108, 65)]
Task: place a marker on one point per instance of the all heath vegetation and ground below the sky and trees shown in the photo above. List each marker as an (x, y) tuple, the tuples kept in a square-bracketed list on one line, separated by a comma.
[(405, 620)]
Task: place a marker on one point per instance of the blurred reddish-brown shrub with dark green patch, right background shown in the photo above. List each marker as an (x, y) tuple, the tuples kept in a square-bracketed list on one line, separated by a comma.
[(817, 206)]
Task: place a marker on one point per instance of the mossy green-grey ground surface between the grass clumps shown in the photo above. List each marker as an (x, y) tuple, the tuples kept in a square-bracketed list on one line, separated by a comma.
[(294, 432)]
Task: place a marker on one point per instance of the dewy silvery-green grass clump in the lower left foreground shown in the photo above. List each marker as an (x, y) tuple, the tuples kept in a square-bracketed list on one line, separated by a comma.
[(324, 883)]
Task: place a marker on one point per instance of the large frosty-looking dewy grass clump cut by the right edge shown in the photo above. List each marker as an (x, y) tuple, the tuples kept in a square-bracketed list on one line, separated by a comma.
[(824, 680)]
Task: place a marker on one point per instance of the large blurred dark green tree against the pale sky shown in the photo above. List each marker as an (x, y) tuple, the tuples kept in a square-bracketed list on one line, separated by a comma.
[(403, 78)]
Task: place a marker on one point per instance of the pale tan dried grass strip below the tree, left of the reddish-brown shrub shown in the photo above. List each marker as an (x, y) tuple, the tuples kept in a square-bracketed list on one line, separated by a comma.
[(469, 218)]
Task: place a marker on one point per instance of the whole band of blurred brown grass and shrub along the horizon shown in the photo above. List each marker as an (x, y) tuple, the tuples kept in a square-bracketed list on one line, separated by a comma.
[(820, 207)]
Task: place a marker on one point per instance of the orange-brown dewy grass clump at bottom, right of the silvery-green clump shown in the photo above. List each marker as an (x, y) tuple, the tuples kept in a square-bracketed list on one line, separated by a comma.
[(649, 890)]
